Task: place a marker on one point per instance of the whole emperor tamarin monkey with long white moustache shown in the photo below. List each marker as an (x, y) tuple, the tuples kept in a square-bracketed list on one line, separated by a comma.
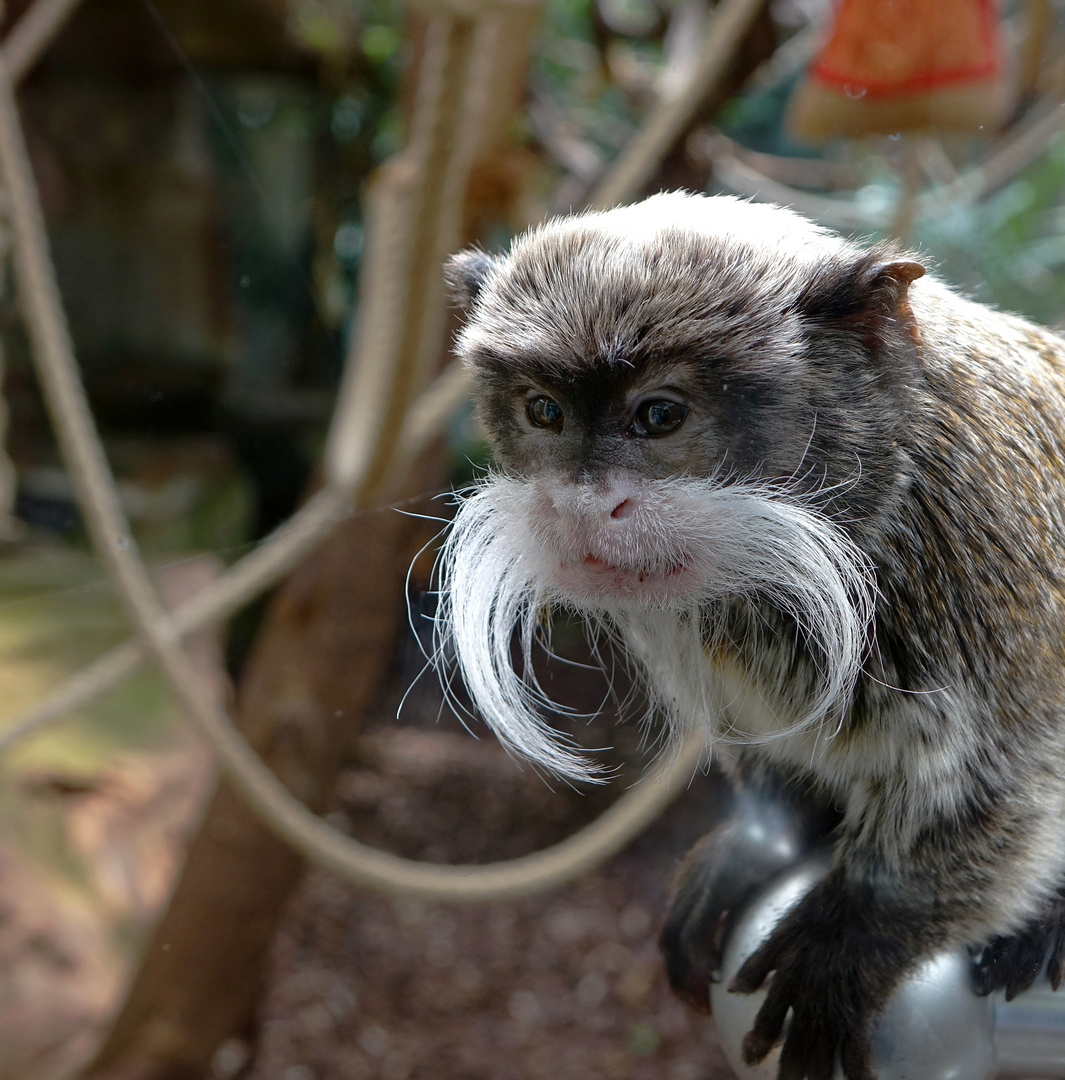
[(820, 498)]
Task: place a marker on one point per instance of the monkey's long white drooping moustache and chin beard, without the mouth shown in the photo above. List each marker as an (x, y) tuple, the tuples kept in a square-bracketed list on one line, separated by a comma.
[(746, 543)]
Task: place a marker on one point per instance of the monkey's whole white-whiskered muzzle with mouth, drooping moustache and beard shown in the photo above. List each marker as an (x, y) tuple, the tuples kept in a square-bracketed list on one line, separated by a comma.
[(668, 589)]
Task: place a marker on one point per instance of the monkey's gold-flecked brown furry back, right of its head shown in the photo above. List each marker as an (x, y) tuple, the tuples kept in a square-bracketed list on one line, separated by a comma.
[(972, 570)]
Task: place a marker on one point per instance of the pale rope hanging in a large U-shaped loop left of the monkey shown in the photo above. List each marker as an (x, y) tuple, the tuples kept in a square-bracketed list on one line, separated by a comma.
[(280, 811)]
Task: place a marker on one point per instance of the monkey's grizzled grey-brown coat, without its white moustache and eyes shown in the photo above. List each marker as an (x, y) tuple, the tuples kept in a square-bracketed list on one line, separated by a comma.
[(933, 433)]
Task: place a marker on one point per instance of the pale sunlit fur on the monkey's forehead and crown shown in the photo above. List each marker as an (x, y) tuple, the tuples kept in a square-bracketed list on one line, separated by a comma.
[(598, 285)]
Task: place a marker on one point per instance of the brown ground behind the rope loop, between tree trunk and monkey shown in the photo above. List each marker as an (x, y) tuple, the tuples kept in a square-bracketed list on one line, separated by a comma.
[(562, 987)]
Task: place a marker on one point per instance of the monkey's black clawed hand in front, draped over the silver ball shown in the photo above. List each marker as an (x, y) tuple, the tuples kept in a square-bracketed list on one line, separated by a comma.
[(835, 961)]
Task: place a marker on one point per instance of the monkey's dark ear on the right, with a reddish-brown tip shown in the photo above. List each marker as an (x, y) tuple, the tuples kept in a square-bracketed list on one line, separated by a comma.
[(875, 286)]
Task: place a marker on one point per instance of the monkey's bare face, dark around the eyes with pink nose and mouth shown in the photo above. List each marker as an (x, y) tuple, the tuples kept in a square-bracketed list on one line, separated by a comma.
[(597, 457)]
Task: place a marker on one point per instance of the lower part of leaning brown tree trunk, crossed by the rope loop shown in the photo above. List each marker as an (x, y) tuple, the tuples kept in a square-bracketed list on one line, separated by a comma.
[(312, 674)]
